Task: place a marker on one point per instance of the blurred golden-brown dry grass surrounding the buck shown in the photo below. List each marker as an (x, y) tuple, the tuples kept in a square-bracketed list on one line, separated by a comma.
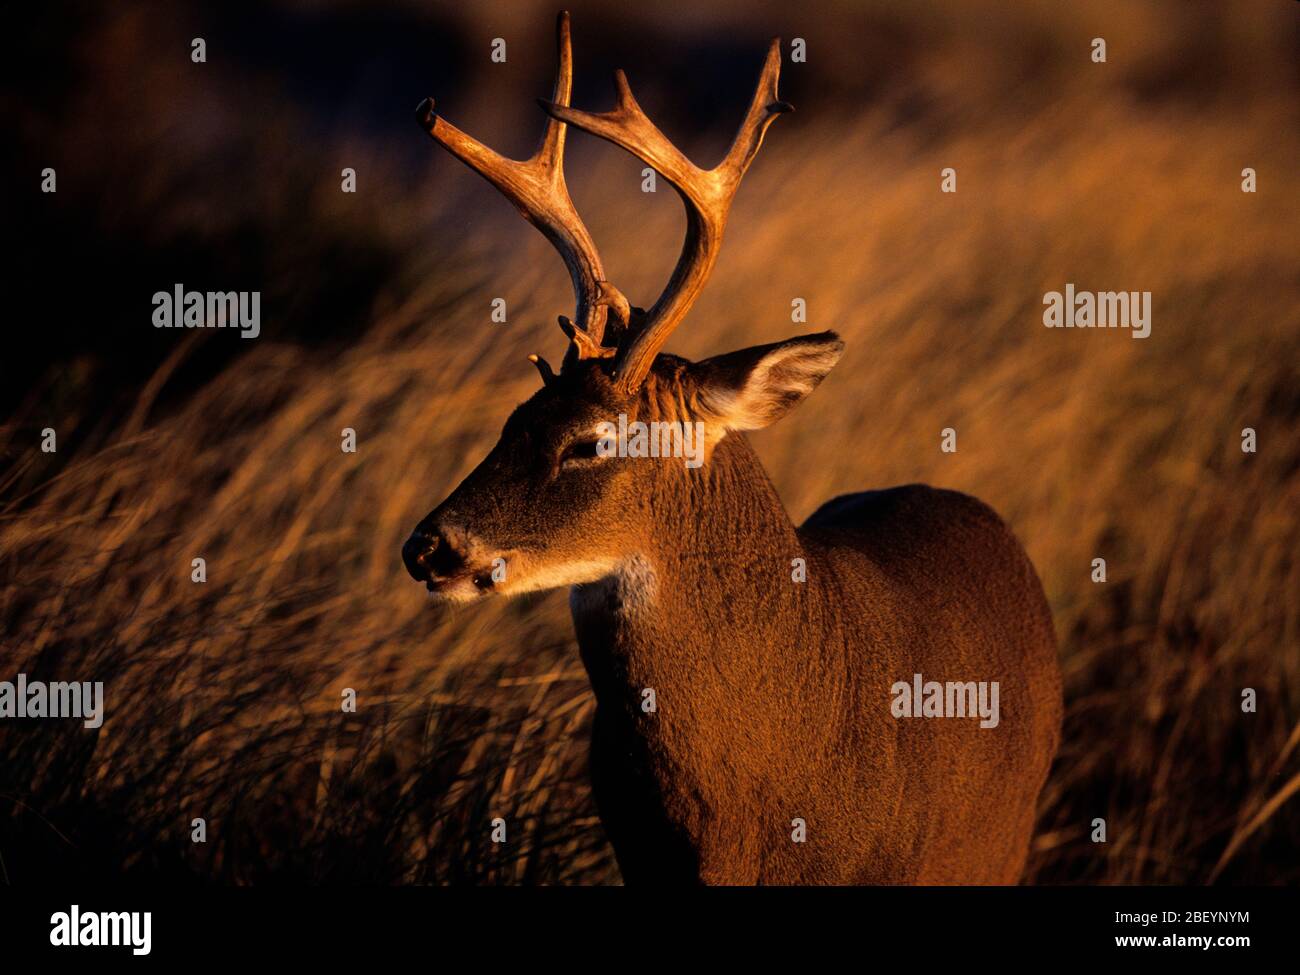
[(224, 699)]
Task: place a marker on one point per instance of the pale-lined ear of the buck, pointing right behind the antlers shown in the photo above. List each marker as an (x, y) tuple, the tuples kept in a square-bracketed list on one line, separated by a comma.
[(757, 387)]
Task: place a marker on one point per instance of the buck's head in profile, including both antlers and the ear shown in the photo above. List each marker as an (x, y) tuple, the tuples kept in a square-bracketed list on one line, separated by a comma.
[(548, 508)]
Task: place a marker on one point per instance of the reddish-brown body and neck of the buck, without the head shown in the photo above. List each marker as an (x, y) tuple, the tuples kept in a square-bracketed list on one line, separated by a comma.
[(773, 696)]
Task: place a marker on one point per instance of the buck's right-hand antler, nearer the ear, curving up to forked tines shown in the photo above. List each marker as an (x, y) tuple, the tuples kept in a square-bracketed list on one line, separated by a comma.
[(707, 196)]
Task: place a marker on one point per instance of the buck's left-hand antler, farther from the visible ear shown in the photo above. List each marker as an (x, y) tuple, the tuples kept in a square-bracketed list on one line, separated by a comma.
[(536, 187)]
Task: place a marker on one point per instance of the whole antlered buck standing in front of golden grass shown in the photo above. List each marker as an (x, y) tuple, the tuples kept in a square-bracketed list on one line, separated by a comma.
[(772, 755)]
